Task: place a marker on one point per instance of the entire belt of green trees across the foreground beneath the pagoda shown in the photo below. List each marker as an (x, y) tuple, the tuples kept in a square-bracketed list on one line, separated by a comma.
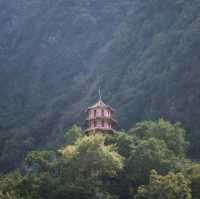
[(147, 162)]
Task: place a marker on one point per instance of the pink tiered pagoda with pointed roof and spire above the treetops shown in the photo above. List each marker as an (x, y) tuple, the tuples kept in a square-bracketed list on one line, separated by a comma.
[(100, 118)]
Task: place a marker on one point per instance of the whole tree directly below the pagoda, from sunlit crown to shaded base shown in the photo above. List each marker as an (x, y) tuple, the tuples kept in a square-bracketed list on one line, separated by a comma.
[(93, 164)]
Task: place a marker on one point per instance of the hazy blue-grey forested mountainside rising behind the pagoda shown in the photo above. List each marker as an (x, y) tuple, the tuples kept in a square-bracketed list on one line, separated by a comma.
[(54, 55)]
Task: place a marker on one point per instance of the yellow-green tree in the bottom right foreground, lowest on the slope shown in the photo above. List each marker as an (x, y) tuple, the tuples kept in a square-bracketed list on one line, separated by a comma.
[(171, 186)]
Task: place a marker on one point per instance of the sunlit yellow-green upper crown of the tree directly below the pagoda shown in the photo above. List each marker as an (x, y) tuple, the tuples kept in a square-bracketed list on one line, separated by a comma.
[(91, 157)]
